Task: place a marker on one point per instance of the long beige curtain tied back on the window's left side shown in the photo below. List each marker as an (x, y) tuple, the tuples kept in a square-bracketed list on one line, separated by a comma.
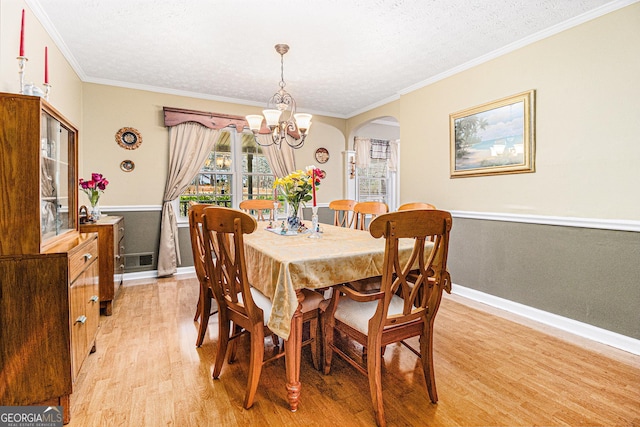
[(189, 146)]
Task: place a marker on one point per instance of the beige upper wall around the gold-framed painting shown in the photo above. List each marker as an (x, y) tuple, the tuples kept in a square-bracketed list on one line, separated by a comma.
[(587, 143)]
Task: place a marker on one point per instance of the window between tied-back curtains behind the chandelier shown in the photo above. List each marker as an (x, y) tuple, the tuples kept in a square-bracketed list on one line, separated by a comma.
[(235, 170)]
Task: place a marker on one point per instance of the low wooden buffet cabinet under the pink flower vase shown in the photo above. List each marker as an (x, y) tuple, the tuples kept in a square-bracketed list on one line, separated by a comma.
[(110, 231)]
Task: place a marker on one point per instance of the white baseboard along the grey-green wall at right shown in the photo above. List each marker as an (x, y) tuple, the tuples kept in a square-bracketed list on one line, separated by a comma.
[(584, 330)]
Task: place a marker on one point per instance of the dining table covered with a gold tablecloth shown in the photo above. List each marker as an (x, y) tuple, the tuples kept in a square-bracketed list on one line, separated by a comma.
[(281, 265)]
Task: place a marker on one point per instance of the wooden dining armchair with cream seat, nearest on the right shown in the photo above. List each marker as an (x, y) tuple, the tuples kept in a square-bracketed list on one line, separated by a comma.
[(406, 304)]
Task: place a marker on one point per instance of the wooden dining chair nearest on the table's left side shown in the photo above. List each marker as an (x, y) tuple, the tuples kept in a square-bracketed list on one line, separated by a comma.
[(238, 301)]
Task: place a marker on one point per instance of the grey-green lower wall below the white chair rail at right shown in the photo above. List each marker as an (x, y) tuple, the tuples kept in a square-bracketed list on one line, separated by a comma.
[(589, 275)]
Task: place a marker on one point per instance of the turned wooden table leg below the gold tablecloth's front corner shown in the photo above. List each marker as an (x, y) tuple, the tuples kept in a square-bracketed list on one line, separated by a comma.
[(293, 350)]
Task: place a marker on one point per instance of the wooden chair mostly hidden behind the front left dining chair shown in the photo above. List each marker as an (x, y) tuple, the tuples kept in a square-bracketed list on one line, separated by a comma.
[(204, 306)]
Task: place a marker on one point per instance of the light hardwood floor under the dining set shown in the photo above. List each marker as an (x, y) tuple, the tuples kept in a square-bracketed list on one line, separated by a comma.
[(490, 371)]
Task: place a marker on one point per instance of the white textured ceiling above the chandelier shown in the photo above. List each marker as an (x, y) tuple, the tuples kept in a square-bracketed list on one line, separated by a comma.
[(345, 56)]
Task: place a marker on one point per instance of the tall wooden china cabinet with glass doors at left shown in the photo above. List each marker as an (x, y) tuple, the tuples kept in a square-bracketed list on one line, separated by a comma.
[(49, 304)]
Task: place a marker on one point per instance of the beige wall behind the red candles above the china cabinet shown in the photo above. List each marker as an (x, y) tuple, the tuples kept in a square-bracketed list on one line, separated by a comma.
[(66, 87)]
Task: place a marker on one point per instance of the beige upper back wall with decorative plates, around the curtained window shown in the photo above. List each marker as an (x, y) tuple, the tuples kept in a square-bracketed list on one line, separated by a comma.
[(108, 109)]
